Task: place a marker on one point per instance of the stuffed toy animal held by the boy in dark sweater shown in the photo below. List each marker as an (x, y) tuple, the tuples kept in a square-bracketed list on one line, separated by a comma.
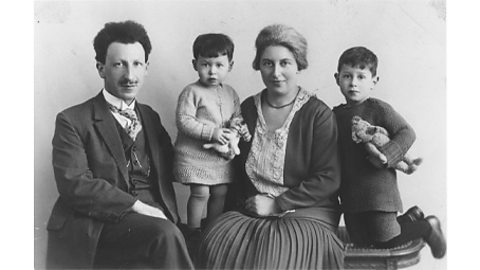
[(374, 137)]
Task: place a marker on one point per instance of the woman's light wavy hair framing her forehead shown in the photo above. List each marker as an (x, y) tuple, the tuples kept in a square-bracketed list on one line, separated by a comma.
[(282, 35)]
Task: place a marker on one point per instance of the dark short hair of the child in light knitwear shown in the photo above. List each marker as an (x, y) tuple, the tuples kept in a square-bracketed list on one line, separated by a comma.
[(213, 45)]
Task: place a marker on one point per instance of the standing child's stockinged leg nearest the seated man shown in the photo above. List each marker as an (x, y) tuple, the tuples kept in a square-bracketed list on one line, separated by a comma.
[(196, 204)]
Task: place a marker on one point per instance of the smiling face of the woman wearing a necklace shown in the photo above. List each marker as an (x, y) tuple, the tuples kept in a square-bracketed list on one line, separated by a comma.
[(279, 70)]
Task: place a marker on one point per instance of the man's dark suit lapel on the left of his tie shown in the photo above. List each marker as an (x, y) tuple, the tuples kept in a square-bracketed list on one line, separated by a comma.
[(105, 125)]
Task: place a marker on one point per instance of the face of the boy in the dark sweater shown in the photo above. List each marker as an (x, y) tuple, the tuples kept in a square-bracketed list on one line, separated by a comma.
[(355, 83)]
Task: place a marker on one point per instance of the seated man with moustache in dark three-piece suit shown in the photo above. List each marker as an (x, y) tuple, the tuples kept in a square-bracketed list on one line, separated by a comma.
[(112, 160)]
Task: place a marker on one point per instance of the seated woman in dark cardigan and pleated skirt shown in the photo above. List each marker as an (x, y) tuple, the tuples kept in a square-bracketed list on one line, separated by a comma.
[(286, 196)]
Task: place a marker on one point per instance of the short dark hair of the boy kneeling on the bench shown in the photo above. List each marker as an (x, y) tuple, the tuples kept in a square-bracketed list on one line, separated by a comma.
[(359, 57)]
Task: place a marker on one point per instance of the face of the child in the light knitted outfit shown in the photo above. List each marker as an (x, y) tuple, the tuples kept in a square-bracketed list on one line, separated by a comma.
[(212, 70)]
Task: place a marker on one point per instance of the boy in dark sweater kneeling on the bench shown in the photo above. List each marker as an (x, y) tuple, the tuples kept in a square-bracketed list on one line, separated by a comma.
[(369, 191)]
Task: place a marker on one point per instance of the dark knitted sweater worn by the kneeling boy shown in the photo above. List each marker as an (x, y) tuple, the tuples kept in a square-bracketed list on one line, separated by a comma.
[(364, 186)]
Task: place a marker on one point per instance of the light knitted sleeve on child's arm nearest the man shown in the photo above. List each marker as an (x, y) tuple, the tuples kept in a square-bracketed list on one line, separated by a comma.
[(186, 119)]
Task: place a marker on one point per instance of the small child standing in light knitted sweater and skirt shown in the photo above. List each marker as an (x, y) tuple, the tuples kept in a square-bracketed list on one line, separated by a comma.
[(204, 110)]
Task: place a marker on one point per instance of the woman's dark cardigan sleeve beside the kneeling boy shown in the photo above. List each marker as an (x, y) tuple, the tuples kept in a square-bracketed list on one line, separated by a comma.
[(323, 179)]
